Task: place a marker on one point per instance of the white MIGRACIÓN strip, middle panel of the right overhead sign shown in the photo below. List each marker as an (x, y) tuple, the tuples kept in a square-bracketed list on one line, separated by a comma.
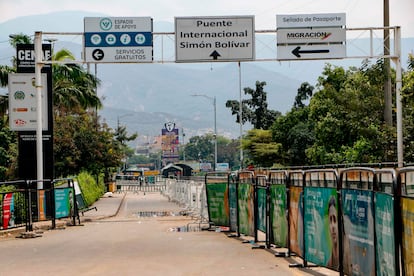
[(311, 35)]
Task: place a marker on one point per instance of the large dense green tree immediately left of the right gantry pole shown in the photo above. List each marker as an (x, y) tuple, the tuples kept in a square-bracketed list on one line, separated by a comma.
[(347, 113)]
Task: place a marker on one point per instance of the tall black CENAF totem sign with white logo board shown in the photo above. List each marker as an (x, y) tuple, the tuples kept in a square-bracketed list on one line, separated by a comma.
[(23, 112)]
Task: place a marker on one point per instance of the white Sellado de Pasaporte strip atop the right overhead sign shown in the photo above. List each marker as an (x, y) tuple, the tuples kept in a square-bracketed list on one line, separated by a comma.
[(311, 20)]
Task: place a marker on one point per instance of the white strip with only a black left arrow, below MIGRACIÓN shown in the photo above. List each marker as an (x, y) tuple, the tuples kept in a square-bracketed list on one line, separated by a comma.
[(300, 52)]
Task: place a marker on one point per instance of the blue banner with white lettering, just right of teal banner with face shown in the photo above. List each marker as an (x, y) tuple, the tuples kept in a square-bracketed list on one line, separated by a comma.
[(359, 254)]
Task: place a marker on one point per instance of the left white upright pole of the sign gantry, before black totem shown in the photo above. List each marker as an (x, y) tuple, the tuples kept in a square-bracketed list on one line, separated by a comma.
[(39, 128)]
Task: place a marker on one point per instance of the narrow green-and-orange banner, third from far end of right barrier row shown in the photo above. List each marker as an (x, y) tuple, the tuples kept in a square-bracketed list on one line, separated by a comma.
[(246, 208)]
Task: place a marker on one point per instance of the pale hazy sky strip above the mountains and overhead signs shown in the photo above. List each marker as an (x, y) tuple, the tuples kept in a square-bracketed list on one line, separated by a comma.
[(359, 13)]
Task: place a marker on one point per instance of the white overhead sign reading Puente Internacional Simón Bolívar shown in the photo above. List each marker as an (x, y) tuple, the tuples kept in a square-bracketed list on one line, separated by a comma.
[(210, 39)]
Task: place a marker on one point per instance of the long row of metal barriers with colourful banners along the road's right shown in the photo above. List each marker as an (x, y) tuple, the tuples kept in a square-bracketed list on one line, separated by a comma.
[(357, 221)]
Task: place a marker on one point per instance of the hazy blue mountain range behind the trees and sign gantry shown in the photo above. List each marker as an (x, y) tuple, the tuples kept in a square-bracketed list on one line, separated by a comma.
[(144, 97)]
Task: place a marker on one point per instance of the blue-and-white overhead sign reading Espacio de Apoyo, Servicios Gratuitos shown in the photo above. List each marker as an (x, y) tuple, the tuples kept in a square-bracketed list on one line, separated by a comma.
[(118, 39)]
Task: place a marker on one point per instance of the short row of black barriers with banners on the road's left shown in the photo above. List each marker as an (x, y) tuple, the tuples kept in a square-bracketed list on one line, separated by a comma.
[(24, 204)]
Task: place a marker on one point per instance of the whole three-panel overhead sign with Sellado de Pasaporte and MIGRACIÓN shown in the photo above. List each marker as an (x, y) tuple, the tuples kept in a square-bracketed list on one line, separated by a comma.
[(311, 36)]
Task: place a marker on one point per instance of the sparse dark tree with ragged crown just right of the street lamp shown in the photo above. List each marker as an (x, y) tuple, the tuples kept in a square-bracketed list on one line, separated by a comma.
[(254, 110)]
